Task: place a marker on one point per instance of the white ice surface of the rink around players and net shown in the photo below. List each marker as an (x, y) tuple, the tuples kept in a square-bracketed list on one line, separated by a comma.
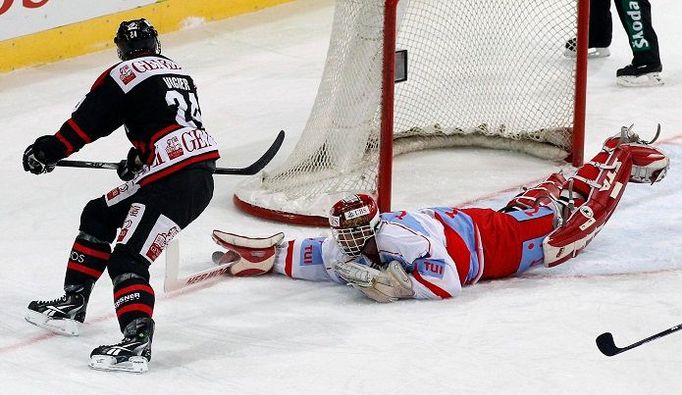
[(258, 74)]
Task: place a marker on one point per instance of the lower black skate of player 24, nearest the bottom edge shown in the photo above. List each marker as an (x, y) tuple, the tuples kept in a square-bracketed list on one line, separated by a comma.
[(129, 355)]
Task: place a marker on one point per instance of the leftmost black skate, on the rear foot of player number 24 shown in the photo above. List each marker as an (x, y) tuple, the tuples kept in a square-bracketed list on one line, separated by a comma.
[(62, 315)]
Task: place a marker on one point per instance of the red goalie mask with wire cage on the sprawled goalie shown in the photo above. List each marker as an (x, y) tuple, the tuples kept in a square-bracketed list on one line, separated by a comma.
[(353, 221)]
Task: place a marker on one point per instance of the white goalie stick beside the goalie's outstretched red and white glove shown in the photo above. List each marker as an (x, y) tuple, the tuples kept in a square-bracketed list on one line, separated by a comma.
[(172, 282)]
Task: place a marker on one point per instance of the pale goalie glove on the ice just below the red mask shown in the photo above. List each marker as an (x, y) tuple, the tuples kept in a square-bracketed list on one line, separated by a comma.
[(384, 286)]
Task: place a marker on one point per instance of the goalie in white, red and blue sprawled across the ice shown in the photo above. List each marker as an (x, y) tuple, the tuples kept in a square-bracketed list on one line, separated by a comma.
[(433, 252)]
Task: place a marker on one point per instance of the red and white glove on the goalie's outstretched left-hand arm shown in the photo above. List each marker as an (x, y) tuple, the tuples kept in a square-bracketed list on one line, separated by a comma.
[(247, 256)]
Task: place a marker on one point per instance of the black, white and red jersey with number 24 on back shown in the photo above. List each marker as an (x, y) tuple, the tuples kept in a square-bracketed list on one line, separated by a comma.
[(157, 103)]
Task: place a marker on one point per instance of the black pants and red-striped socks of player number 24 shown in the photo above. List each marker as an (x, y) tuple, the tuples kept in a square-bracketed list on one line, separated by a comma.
[(140, 221)]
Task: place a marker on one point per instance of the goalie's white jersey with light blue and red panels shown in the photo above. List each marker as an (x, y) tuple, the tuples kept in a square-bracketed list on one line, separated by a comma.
[(417, 240)]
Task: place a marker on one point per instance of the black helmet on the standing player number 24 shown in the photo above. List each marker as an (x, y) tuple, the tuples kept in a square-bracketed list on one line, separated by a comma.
[(137, 38)]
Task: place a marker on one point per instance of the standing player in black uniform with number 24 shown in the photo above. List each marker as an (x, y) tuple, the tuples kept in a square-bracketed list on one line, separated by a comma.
[(168, 176)]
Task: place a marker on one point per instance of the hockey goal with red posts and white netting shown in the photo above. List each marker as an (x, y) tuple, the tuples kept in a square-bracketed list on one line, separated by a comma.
[(479, 73)]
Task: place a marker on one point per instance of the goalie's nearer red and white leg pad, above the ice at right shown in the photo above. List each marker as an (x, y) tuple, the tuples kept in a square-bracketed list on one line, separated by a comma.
[(603, 181)]
